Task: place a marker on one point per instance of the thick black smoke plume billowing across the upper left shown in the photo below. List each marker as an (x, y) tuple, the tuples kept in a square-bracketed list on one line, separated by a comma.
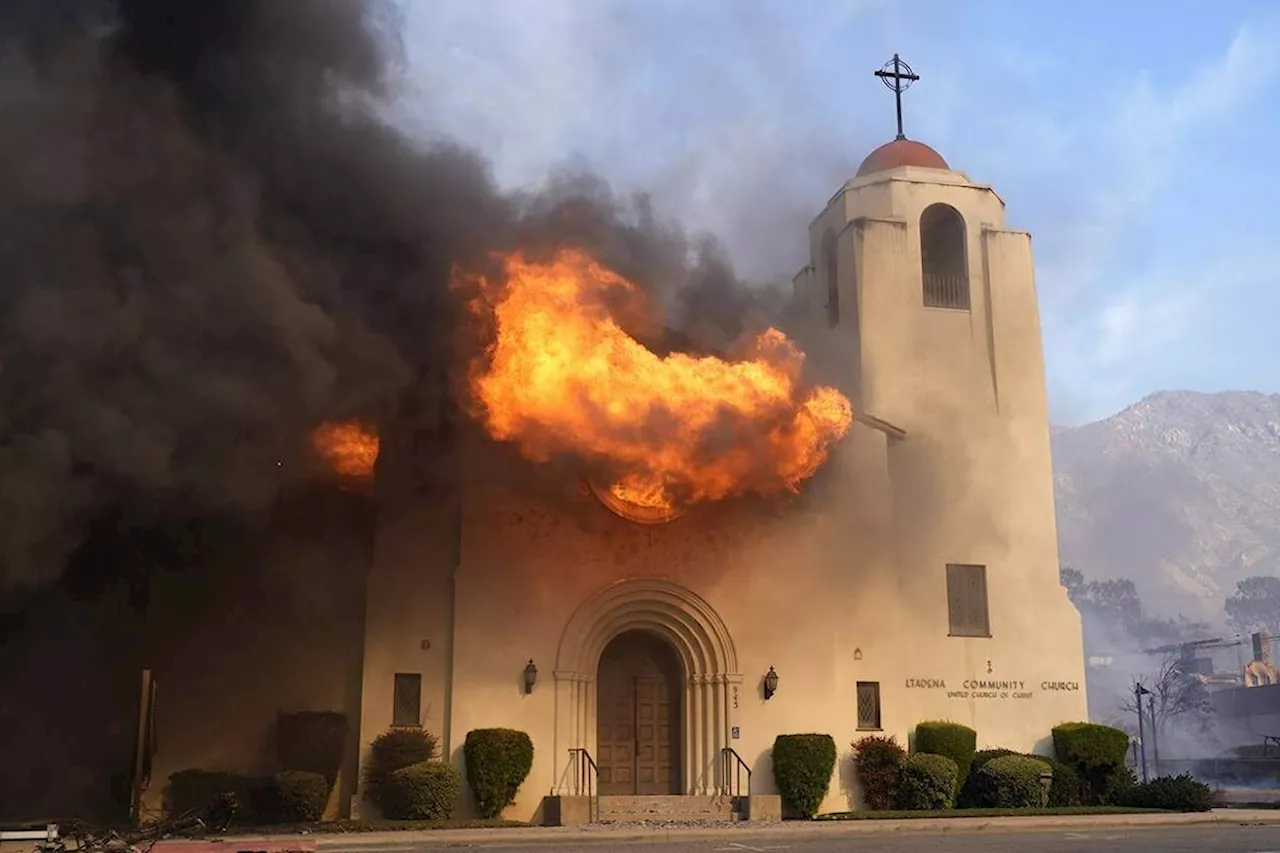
[(213, 240)]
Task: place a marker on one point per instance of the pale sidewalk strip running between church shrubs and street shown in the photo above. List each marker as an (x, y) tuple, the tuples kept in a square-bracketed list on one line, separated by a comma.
[(606, 834)]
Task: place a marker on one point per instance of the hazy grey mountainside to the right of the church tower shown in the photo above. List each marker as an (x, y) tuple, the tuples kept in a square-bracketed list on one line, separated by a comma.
[(1180, 492)]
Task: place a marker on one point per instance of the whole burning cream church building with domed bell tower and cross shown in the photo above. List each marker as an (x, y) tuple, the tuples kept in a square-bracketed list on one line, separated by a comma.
[(659, 655)]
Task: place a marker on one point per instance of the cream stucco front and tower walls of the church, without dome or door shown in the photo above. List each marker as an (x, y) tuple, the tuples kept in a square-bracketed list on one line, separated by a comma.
[(949, 464)]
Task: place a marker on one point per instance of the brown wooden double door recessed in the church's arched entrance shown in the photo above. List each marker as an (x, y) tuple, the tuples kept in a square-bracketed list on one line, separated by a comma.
[(639, 687)]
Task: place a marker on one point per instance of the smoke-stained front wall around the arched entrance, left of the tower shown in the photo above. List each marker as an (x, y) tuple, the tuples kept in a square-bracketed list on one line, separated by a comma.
[(528, 564)]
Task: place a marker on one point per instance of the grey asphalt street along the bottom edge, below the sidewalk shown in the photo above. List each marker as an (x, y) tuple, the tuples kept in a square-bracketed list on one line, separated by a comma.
[(1191, 840)]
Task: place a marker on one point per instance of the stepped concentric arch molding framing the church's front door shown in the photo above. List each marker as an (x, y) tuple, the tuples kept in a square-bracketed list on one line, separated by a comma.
[(712, 682)]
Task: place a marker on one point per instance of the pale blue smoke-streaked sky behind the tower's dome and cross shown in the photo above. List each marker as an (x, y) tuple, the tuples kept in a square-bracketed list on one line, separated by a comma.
[(1139, 142)]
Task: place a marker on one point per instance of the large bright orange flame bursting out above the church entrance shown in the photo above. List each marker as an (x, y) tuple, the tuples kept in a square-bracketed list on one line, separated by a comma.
[(561, 376)]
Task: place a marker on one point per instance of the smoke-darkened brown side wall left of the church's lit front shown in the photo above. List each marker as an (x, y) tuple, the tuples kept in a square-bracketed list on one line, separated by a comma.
[(277, 627)]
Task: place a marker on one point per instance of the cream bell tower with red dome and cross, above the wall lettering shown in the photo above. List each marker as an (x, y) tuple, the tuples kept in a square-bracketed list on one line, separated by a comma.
[(921, 304)]
